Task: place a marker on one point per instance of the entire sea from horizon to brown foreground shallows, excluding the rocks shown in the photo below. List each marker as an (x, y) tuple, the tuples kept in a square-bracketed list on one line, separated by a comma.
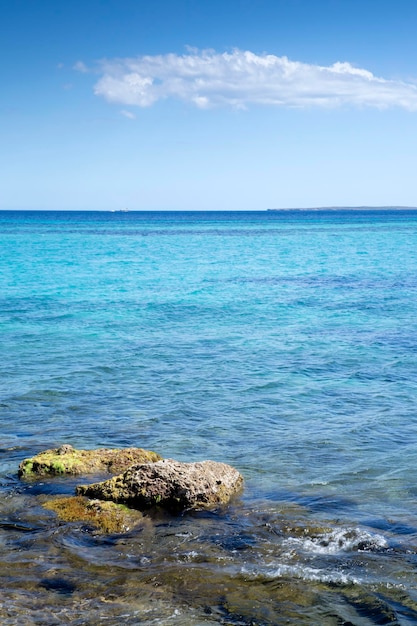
[(283, 343)]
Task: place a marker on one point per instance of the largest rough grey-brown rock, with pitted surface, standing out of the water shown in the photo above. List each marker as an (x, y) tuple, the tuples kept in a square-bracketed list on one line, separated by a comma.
[(170, 484)]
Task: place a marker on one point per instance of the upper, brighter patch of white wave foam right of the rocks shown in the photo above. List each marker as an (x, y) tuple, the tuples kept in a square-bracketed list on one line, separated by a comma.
[(338, 540)]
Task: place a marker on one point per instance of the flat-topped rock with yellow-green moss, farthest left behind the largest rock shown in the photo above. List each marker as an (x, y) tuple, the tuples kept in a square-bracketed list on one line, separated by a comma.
[(68, 460)]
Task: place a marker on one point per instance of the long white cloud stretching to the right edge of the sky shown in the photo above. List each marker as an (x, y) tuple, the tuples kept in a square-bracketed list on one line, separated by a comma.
[(238, 79)]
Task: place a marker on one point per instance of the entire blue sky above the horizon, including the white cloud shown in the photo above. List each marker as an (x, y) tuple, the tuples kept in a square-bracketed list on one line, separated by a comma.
[(207, 104)]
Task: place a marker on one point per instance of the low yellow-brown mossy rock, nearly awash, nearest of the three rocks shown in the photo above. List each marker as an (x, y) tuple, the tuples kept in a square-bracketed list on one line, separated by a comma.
[(106, 517)]
